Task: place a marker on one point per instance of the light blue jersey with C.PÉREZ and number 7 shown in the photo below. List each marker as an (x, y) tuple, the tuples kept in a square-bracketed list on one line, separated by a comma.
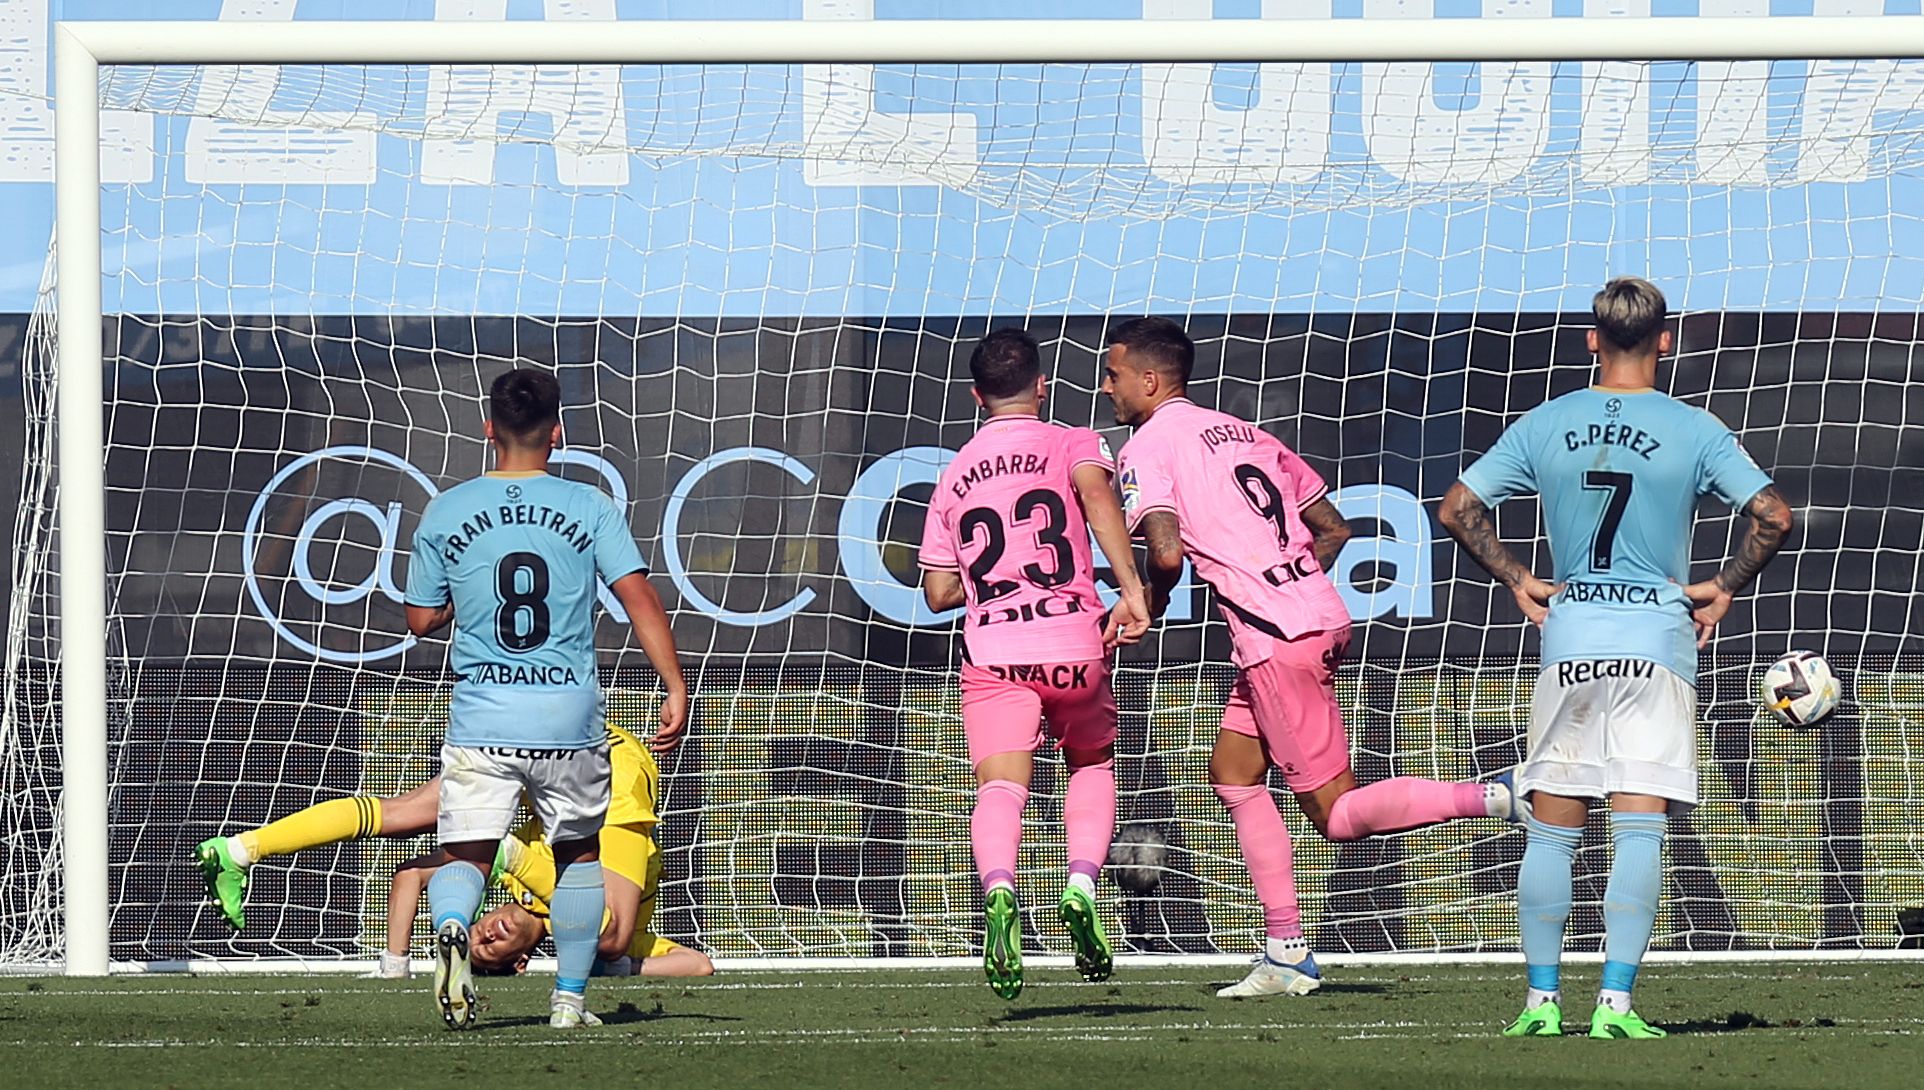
[(1621, 476)]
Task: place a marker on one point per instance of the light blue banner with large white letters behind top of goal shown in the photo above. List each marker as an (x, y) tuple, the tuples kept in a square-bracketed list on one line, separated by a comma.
[(1017, 189)]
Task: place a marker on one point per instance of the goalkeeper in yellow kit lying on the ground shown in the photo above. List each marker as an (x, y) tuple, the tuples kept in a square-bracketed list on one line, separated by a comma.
[(632, 866)]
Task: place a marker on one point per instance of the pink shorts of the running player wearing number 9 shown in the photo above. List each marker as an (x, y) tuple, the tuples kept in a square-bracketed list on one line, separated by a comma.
[(1288, 703)]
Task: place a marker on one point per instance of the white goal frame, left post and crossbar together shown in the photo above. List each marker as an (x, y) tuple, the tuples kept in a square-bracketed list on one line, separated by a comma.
[(84, 47)]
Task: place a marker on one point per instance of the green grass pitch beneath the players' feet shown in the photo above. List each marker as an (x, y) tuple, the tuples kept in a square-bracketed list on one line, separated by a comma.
[(1419, 1028)]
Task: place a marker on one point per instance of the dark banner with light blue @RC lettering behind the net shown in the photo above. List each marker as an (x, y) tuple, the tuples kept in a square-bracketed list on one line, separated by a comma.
[(782, 507)]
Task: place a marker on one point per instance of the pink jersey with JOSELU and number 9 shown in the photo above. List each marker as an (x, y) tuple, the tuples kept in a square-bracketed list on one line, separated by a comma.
[(1240, 499)]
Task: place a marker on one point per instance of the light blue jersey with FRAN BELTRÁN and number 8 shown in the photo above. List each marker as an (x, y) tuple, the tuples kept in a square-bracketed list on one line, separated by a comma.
[(519, 555)]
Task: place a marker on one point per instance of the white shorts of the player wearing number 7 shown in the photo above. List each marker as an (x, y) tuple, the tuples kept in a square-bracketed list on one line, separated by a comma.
[(1604, 728)]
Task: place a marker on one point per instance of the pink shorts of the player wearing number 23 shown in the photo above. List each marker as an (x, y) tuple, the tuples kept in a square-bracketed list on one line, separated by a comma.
[(1005, 706)]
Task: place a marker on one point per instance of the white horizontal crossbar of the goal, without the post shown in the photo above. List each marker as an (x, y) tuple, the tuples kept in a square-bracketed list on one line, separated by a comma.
[(1000, 41)]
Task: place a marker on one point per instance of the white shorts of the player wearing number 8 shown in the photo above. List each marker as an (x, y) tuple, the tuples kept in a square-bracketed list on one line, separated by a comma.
[(482, 787)]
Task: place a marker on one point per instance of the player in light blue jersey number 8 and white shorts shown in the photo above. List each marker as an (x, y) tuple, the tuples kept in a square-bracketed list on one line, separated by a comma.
[(511, 560)]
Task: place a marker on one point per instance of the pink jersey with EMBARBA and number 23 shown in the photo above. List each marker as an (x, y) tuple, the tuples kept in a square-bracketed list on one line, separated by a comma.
[(1005, 516)]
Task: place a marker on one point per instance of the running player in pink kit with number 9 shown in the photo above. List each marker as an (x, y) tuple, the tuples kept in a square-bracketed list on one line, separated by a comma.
[(1261, 530)]
